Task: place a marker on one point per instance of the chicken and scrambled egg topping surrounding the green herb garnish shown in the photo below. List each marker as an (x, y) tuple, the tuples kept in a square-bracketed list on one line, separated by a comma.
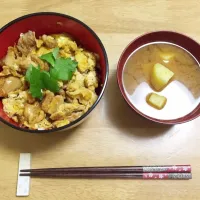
[(54, 110)]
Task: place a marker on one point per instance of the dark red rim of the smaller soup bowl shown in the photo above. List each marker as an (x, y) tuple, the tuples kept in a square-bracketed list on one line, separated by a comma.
[(180, 120)]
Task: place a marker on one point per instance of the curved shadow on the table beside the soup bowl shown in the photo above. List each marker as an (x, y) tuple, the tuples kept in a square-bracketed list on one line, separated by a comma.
[(126, 119)]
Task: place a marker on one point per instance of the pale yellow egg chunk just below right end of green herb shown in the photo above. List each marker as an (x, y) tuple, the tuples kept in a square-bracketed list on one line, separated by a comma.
[(76, 82)]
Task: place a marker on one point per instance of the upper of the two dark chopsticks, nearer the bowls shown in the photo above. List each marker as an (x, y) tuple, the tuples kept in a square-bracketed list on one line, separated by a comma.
[(118, 169)]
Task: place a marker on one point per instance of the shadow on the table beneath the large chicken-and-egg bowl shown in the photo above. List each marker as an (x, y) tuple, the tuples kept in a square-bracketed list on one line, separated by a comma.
[(18, 141)]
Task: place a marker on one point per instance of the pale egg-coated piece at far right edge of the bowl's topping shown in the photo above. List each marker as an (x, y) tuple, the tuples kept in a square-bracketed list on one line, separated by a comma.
[(91, 80)]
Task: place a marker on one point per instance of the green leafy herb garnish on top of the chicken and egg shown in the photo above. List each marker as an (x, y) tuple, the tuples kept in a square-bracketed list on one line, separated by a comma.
[(60, 69)]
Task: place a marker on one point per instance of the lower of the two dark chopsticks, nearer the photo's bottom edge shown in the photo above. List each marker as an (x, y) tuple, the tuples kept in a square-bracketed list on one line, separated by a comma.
[(180, 176)]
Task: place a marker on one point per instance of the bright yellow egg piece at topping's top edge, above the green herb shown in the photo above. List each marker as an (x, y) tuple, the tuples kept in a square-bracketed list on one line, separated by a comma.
[(65, 41)]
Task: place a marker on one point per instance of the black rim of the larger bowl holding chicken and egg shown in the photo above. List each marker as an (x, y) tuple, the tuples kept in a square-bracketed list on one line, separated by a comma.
[(77, 121)]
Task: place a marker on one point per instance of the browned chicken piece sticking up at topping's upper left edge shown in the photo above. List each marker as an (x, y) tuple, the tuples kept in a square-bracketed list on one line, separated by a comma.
[(26, 43)]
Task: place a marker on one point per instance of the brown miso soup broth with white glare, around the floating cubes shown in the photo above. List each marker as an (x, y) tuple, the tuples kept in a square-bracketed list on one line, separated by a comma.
[(183, 91)]
